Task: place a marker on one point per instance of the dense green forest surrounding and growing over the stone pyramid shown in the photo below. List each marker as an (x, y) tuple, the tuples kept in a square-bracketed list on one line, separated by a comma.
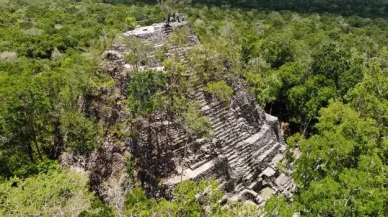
[(319, 66)]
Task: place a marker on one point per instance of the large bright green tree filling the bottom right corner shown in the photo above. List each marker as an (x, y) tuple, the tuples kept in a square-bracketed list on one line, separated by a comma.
[(340, 172)]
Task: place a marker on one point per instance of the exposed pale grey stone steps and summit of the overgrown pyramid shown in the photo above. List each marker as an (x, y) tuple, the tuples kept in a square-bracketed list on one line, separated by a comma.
[(244, 151)]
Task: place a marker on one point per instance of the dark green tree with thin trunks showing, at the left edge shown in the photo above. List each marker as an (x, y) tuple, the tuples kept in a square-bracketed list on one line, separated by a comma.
[(25, 114)]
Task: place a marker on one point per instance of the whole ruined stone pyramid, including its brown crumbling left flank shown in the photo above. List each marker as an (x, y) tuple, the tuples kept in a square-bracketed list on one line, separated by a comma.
[(242, 154)]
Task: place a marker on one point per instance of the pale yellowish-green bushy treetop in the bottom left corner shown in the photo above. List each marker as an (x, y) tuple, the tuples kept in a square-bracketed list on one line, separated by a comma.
[(56, 193)]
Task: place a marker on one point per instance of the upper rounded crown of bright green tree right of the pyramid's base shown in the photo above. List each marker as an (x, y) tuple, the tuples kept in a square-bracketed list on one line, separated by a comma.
[(342, 137)]
